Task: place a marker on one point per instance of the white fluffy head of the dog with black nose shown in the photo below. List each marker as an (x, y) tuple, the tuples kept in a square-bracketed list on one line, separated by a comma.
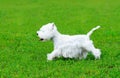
[(47, 32)]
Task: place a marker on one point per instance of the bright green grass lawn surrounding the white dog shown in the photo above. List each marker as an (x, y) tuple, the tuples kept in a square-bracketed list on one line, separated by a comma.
[(22, 55)]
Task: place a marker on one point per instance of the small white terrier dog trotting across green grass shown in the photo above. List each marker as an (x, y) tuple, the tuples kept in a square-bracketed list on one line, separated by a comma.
[(76, 46)]
